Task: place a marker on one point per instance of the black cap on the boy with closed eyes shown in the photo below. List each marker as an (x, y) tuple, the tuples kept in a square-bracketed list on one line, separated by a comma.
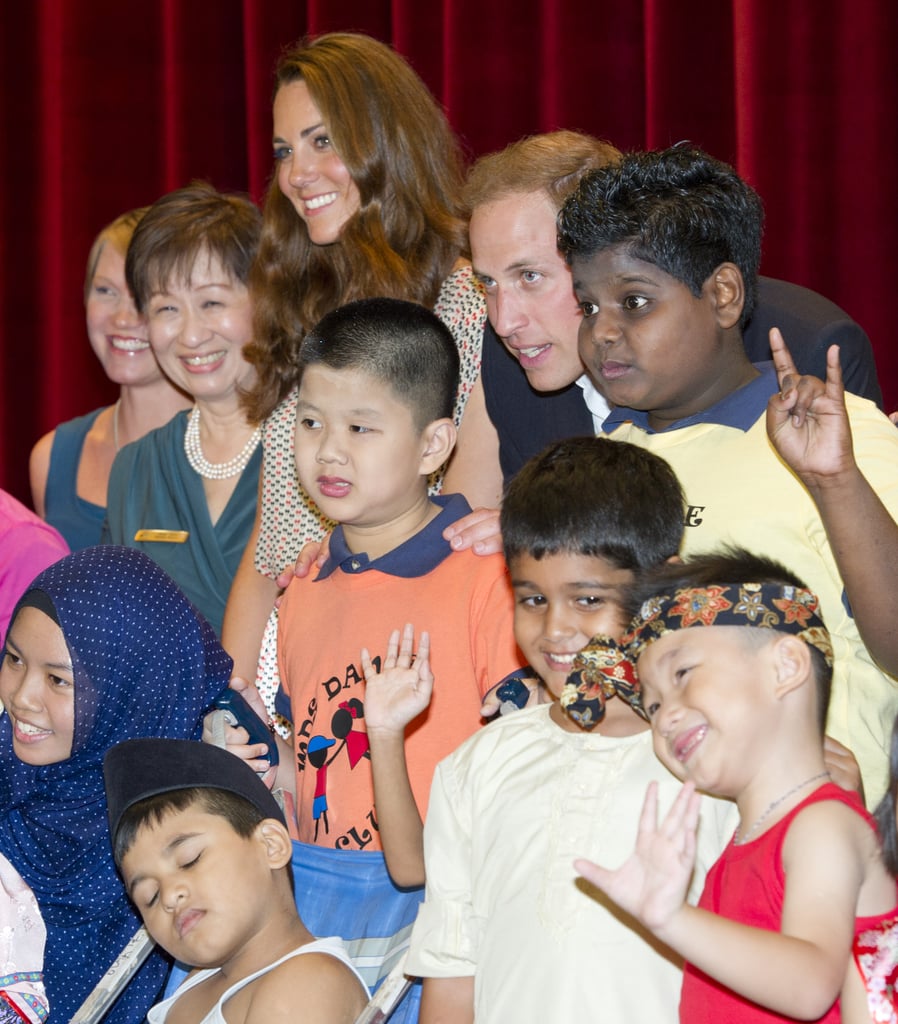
[(141, 769)]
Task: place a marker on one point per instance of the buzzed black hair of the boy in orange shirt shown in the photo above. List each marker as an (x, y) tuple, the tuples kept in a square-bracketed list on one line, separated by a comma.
[(402, 345)]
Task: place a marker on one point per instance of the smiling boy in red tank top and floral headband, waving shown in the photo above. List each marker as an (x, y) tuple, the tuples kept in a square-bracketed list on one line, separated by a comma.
[(734, 664)]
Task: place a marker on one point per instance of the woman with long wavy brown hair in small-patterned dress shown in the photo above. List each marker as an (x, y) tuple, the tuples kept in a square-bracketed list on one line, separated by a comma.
[(365, 201)]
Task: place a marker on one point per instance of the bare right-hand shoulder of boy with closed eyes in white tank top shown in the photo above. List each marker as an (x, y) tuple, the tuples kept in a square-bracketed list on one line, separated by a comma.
[(317, 989)]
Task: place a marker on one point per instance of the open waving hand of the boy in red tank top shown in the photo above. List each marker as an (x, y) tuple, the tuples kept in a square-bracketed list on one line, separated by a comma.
[(653, 883)]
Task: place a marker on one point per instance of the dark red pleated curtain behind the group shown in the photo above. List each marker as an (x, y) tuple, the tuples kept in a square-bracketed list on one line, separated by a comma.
[(105, 106)]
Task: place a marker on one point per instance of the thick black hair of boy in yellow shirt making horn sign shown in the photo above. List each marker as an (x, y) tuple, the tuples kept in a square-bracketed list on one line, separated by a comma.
[(679, 209)]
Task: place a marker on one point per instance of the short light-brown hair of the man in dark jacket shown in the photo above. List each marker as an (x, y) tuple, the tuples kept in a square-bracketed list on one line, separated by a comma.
[(553, 163)]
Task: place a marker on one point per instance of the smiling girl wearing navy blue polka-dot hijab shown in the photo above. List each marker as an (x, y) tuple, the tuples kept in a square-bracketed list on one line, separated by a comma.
[(103, 648)]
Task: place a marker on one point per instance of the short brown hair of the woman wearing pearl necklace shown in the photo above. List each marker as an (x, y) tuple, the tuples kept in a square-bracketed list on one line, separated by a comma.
[(182, 227)]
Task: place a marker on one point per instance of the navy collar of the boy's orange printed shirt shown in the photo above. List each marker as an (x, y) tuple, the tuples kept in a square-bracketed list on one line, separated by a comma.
[(416, 558)]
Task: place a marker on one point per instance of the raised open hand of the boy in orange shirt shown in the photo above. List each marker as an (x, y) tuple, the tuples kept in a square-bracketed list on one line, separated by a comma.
[(402, 691)]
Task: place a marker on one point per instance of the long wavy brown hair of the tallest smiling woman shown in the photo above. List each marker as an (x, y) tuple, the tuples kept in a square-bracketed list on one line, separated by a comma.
[(409, 231)]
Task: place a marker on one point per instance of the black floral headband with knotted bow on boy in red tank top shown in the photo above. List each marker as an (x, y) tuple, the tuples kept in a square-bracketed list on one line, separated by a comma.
[(606, 667)]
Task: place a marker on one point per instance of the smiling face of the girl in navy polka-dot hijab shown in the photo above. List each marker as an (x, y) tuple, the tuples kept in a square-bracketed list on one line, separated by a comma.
[(37, 688)]
